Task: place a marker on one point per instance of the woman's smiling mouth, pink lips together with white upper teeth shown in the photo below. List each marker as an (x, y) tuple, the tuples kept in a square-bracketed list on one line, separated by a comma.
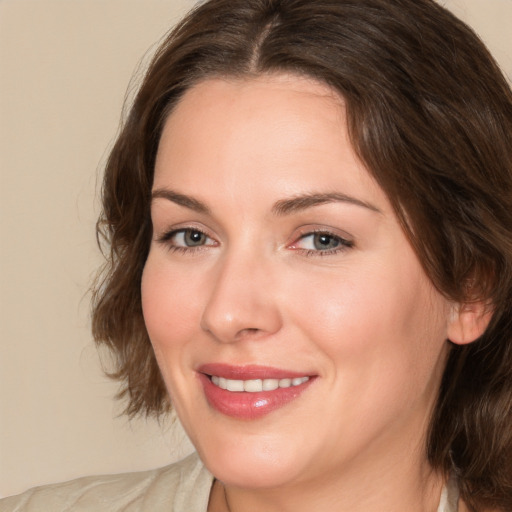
[(250, 392)]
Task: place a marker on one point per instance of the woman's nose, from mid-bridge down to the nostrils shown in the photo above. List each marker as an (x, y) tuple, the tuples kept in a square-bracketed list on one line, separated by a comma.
[(241, 303)]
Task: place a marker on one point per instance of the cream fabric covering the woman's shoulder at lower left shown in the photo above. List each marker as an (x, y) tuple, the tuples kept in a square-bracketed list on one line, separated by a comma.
[(180, 487)]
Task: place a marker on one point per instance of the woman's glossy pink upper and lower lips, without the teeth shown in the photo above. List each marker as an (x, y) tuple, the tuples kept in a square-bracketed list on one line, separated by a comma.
[(243, 405)]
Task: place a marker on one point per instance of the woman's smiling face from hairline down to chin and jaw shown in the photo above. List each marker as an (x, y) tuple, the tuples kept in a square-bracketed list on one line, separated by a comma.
[(277, 262)]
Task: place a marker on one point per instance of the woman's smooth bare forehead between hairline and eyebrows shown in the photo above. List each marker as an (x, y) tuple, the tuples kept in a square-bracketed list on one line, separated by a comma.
[(281, 131)]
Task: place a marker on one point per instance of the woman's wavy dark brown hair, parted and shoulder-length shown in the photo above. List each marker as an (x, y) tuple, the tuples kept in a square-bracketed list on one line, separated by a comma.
[(430, 115)]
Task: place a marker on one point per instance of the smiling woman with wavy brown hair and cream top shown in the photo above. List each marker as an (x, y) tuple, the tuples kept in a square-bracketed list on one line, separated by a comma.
[(310, 232)]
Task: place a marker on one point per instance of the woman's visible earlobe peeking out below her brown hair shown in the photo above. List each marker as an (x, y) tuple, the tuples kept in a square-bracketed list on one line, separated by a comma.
[(468, 322)]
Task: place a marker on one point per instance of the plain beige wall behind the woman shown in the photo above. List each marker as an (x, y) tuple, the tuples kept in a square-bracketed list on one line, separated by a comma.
[(64, 69)]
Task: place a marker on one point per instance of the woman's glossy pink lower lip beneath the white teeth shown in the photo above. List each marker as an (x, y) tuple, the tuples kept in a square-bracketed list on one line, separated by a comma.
[(249, 406)]
